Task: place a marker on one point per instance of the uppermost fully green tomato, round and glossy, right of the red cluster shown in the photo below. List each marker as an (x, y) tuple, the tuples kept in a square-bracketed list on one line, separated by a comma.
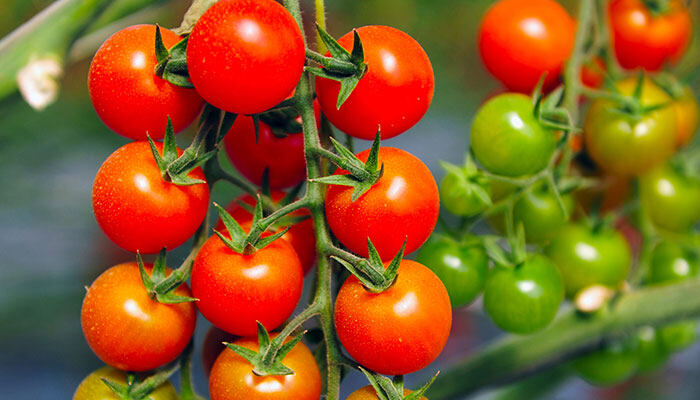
[(507, 139)]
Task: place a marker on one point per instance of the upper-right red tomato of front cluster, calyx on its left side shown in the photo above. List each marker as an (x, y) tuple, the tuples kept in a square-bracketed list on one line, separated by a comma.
[(395, 92)]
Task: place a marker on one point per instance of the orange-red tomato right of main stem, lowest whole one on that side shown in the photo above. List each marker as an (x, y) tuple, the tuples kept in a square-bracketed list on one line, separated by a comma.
[(400, 330)]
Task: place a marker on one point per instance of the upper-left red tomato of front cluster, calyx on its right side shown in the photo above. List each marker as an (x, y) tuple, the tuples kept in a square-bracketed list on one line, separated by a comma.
[(126, 93)]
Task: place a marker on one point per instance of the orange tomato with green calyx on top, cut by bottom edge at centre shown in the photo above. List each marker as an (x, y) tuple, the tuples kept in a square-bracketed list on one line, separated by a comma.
[(232, 377)]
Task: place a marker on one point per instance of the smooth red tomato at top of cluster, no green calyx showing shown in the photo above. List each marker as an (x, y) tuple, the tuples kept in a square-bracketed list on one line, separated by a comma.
[(245, 56)]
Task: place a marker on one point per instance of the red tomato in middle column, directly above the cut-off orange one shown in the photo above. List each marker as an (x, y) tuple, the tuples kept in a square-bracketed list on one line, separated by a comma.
[(236, 290)]
